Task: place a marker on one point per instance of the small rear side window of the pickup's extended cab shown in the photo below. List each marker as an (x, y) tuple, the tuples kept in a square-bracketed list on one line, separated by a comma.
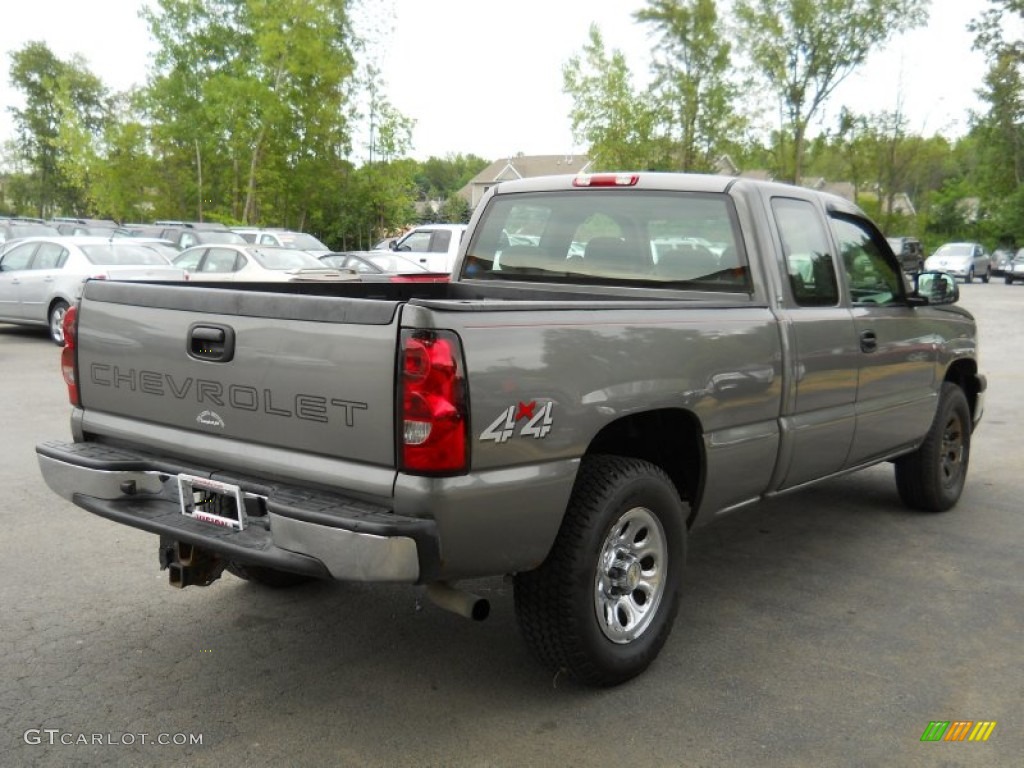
[(808, 257)]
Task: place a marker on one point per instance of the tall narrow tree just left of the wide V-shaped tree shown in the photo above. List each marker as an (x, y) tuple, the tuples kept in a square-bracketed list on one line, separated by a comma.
[(694, 92)]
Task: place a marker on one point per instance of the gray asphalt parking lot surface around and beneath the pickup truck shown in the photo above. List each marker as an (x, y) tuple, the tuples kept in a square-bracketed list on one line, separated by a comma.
[(823, 629)]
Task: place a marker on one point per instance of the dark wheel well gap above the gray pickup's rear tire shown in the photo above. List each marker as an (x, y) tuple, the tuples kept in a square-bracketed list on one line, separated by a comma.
[(670, 438)]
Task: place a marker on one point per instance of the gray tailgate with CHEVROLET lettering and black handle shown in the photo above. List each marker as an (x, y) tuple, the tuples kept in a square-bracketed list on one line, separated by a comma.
[(315, 374)]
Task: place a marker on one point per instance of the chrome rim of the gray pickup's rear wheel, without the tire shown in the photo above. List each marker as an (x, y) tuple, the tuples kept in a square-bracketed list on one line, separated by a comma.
[(631, 576)]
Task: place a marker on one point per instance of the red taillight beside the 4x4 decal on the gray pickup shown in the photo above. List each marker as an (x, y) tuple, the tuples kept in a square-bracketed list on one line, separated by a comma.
[(434, 418)]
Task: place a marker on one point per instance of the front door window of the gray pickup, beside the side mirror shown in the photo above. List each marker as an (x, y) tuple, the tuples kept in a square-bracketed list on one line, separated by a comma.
[(871, 278)]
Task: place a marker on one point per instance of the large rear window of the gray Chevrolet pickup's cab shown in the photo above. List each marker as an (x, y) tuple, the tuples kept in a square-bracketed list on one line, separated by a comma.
[(653, 239)]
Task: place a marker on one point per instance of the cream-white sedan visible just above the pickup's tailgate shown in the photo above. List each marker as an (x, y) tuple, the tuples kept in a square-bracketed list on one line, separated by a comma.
[(255, 264)]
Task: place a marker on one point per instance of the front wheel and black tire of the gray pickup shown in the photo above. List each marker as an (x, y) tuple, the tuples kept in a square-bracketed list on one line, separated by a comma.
[(932, 479)]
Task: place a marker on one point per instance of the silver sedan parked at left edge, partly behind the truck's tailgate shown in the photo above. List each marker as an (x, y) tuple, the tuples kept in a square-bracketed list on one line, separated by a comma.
[(40, 278)]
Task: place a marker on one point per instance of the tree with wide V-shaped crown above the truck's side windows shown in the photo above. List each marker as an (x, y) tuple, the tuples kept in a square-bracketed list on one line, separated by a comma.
[(805, 49)]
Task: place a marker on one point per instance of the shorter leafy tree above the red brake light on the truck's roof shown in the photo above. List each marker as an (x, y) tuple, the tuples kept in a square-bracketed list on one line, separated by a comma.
[(615, 121)]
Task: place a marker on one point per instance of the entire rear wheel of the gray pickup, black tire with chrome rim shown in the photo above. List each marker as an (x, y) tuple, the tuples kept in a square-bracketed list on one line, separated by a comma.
[(601, 608)]
